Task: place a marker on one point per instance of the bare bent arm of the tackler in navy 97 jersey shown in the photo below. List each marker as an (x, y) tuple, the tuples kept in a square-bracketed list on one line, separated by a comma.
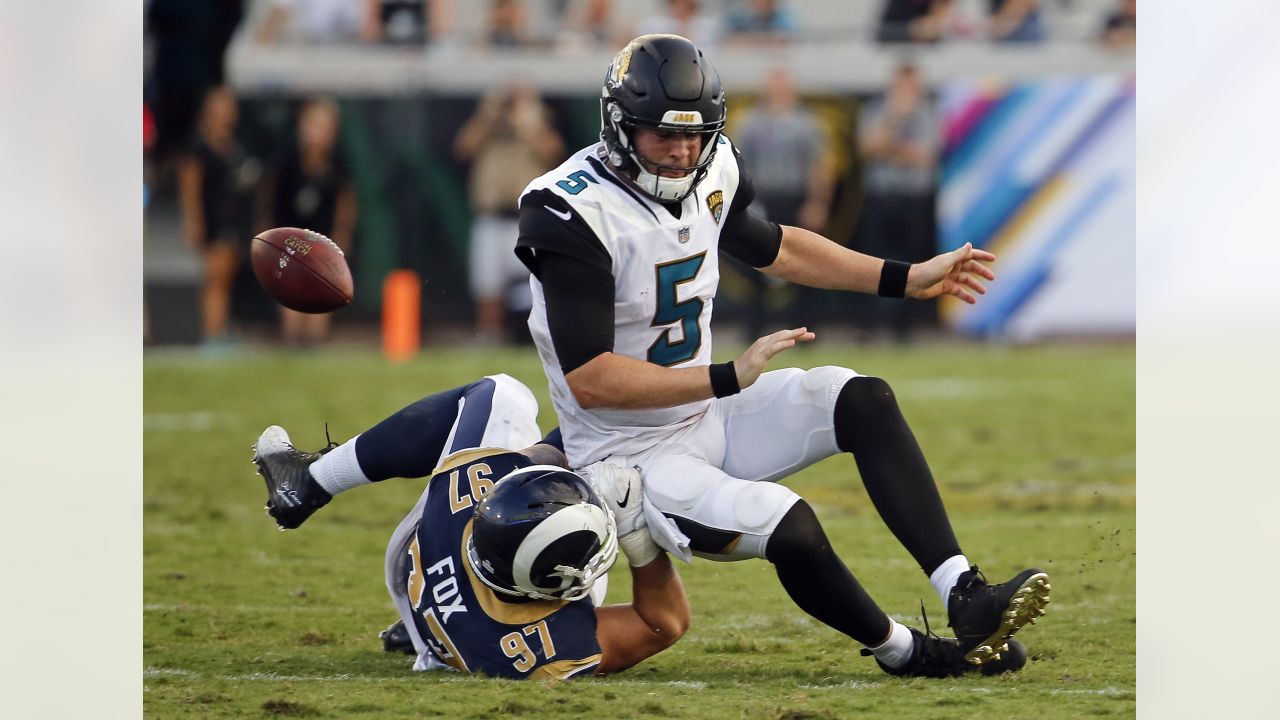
[(657, 617)]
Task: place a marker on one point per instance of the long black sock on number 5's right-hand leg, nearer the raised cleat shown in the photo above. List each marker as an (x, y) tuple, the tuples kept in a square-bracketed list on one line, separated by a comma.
[(871, 426)]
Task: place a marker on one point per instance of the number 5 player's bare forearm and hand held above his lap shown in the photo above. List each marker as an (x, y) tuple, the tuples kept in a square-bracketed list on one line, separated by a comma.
[(616, 381)]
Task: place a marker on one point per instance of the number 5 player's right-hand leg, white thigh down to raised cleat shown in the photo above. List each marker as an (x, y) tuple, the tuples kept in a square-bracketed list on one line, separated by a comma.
[(790, 420)]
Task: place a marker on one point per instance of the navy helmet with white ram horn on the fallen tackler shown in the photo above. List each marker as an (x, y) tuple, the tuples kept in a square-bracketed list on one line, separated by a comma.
[(542, 532)]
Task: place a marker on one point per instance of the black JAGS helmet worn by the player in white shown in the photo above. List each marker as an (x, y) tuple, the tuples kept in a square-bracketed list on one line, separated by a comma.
[(662, 83)]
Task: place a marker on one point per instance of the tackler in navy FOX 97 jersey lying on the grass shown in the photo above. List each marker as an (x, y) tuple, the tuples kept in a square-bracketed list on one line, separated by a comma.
[(500, 567)]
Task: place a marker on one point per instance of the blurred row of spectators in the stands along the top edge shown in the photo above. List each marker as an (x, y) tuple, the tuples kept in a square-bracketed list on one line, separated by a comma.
[(584, 24)]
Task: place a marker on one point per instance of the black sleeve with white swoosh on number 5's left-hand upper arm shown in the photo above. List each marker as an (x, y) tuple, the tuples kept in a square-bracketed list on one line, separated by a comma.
[(563, 252)]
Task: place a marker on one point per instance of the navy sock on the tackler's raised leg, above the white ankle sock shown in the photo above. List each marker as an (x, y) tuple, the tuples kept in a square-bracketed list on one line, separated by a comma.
[(410, 443)]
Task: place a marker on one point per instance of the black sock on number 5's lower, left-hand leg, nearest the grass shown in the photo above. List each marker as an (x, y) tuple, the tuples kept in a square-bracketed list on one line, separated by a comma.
[(820, 582)]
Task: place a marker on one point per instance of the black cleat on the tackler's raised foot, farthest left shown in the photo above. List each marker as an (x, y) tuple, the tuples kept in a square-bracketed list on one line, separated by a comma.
[(292, 494)]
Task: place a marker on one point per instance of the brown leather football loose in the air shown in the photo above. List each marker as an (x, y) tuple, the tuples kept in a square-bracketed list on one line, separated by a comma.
[(303, 270)]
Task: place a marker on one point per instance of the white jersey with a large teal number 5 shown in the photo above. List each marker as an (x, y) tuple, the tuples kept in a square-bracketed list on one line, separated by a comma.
[(666, 274)]
